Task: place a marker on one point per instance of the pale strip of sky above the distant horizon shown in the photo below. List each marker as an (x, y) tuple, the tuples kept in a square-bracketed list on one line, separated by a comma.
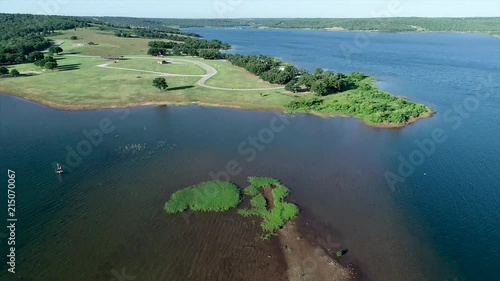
[(255, 8)]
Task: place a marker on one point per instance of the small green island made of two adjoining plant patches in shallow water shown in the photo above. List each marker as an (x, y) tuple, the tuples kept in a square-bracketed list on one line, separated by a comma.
[(267, 200)]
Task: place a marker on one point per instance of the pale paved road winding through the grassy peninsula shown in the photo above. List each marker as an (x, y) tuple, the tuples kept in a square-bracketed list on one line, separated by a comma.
[(211, 72)]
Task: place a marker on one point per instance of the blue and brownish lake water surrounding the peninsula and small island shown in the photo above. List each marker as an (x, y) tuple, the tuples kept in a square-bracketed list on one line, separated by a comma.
[(105, 216)]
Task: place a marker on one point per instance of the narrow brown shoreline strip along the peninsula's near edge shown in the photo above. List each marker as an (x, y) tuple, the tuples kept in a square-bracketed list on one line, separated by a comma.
[(57, 106)]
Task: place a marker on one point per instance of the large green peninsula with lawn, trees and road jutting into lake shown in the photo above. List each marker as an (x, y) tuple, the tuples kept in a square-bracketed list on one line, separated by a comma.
[(73, 63)]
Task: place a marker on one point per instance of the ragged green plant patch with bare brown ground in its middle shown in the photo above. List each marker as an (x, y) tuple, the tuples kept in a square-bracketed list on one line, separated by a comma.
[(268, 202)]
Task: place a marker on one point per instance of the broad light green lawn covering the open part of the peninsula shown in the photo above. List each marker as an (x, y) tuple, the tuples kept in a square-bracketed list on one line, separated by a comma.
[(80, 84)]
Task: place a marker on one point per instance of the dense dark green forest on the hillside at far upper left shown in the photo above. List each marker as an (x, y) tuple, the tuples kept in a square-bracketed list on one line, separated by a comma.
[(21, 35)]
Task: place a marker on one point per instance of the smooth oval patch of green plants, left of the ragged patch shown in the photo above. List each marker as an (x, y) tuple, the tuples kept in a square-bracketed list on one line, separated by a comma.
[(211, 196)]
